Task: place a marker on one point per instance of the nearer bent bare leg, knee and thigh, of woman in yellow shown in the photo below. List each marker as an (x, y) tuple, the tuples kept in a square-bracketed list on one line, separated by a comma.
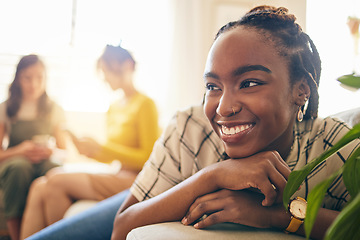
[(62, 190)]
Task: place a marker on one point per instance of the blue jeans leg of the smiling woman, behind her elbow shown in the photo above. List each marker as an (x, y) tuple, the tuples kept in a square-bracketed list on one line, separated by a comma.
[(92, 224)]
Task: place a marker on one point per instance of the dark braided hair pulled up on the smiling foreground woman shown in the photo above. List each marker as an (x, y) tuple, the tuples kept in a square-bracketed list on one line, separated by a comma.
[(291, 42)]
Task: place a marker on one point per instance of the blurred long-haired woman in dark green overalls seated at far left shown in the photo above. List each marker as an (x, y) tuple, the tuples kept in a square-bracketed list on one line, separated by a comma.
[(28, 121)]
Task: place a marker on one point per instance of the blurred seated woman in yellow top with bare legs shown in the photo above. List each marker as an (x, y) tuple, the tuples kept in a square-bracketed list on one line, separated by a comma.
[(132, 128)]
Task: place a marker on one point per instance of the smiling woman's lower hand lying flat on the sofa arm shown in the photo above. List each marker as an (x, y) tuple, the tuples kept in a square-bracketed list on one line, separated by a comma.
[(242, 207)]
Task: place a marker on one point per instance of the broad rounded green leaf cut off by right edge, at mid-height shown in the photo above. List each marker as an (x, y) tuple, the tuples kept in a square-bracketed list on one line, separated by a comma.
[(351, 173)]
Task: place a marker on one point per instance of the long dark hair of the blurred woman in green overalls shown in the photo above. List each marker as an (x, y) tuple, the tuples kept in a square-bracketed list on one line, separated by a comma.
[(15, 94)]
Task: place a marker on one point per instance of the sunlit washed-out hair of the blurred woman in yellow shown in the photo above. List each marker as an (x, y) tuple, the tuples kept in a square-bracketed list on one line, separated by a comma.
[(114, 54)]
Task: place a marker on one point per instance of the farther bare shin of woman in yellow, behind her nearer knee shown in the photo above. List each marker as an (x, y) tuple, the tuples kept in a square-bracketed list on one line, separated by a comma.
[(34, 216)]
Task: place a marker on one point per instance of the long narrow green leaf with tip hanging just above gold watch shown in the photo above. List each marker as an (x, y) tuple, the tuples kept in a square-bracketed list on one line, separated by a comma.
[(298, 176)]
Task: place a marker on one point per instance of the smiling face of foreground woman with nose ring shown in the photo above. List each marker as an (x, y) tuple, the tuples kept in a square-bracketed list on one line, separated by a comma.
[(245, 75)]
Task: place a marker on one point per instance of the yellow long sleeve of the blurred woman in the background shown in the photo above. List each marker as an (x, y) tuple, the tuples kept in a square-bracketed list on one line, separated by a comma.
[(135, 157)]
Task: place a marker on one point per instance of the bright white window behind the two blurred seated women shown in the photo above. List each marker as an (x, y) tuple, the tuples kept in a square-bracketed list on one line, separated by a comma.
[(71, 34)]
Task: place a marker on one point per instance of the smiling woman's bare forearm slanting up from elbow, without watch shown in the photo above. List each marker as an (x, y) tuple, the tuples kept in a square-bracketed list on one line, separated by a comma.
[(171, 205)]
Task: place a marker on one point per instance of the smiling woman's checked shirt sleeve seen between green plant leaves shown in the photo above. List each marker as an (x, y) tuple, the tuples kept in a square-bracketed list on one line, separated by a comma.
[(318, 138)]
